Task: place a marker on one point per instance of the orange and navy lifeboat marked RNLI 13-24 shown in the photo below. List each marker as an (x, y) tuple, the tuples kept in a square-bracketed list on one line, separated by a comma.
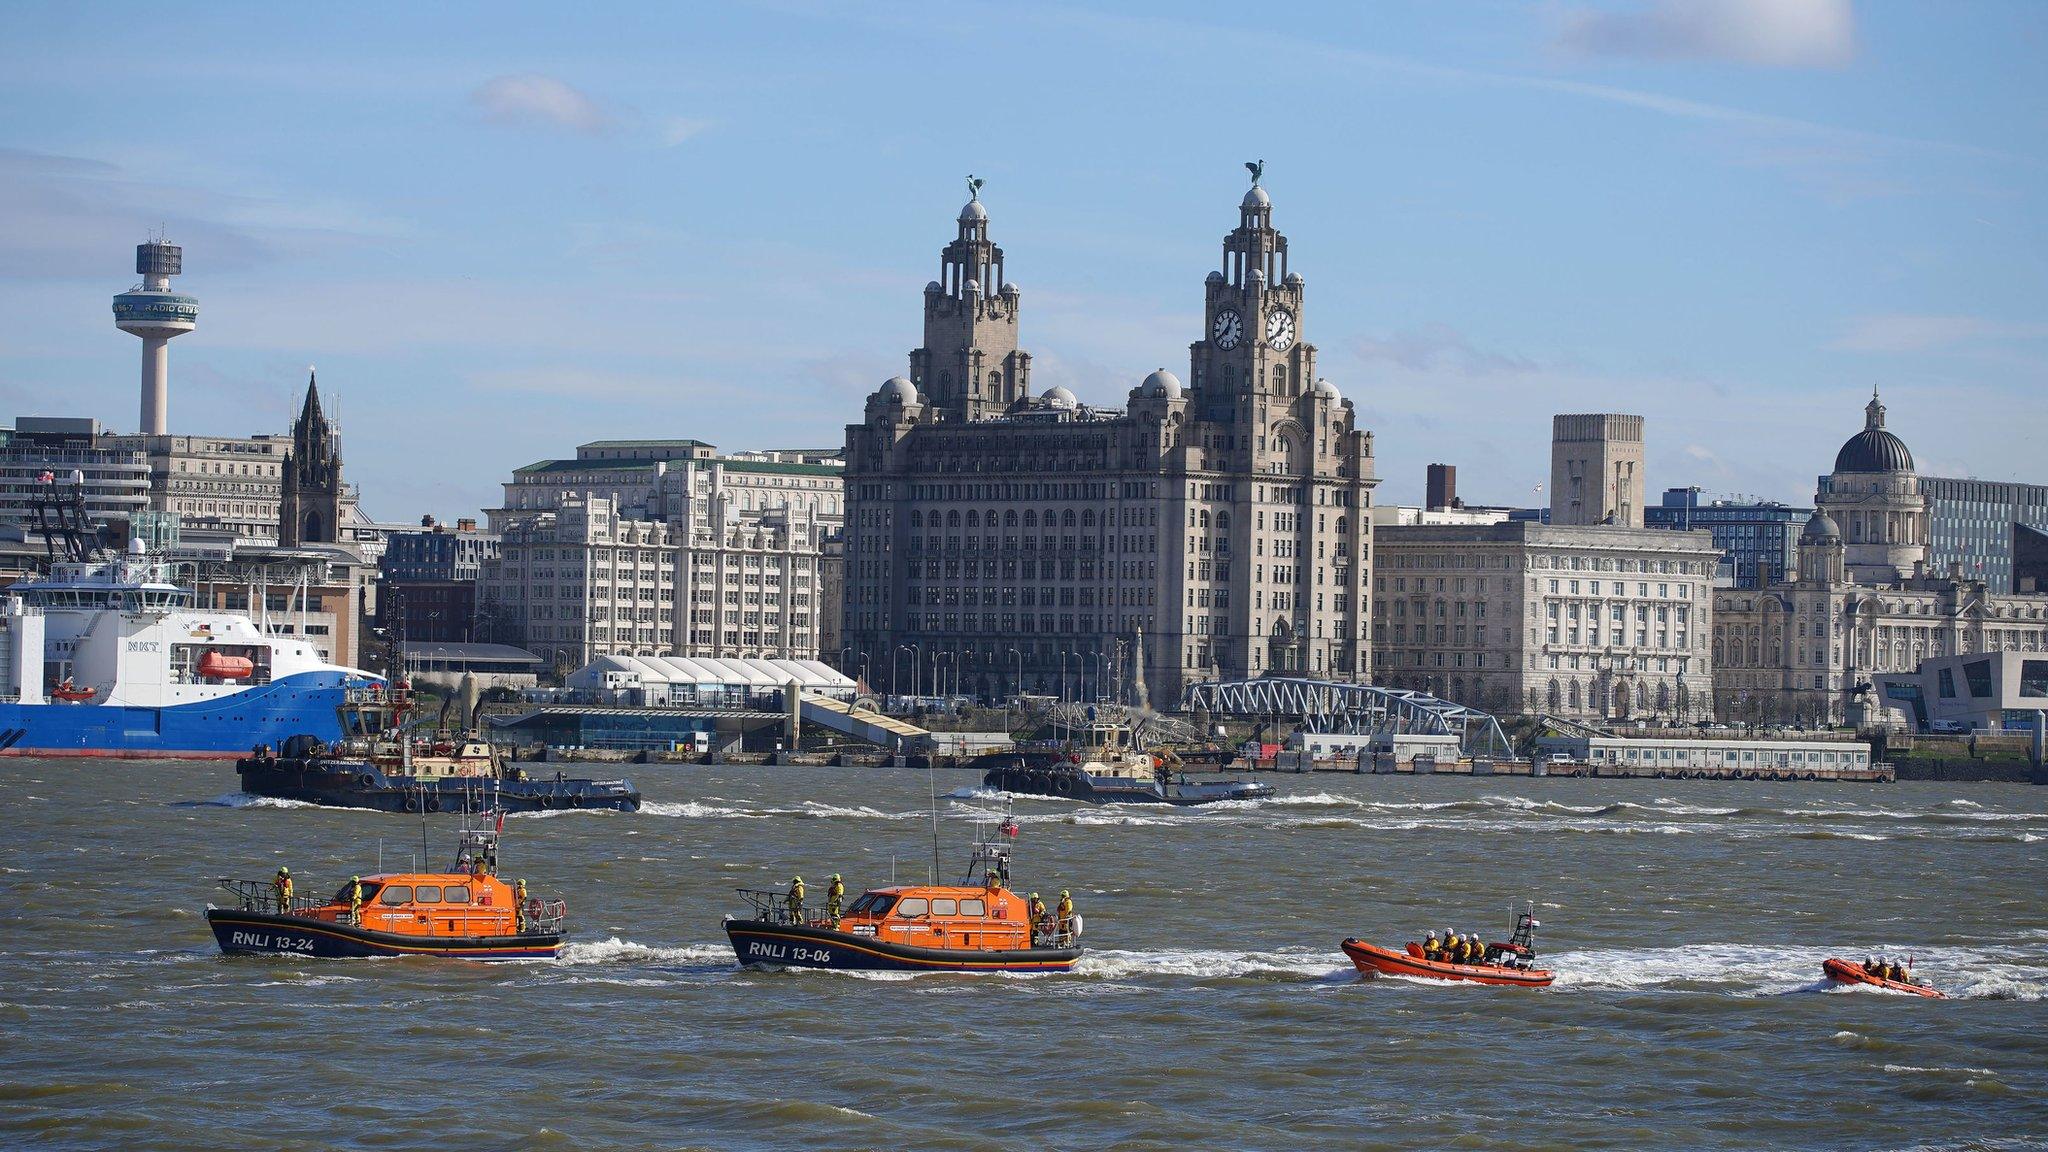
[(464, 913)]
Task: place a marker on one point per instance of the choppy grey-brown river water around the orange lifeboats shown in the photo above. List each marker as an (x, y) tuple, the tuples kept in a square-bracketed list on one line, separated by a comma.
[(1689, 923)]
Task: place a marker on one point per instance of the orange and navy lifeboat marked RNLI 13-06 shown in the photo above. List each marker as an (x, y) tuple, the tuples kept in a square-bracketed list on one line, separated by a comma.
[(976, 925)]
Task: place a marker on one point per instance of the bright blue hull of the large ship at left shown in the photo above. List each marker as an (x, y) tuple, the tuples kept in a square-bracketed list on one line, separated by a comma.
[(212, 731)]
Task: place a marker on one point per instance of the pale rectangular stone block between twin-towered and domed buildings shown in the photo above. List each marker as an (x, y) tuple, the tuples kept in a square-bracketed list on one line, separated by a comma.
[(1517, 616)]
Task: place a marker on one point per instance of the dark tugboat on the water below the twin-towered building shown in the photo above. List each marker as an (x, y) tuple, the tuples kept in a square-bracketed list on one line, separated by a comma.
[(1107, 768)]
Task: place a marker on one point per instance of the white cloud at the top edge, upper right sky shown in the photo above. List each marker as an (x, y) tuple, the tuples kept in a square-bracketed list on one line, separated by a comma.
[(1775, 34)]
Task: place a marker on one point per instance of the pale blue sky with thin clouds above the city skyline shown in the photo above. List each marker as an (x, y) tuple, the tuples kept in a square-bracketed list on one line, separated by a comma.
[(505, 231)]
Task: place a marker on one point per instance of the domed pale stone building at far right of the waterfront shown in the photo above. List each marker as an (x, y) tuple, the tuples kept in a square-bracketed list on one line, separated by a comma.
[(1865, 600)]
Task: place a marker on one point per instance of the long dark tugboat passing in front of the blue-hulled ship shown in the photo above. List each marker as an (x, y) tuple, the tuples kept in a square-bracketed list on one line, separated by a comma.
[(380, 764)]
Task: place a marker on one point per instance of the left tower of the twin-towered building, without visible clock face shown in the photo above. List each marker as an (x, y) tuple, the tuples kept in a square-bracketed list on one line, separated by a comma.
[(970, 366)]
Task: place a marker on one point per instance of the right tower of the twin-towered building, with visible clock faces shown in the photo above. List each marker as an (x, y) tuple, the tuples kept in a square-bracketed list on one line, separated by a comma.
[(1252, 345)]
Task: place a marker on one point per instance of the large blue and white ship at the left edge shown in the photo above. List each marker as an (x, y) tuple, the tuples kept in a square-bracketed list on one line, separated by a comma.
[(110, 657)]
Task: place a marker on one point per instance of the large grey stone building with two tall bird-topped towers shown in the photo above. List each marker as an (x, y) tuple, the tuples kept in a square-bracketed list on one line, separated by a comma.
[(1207, 530)]
